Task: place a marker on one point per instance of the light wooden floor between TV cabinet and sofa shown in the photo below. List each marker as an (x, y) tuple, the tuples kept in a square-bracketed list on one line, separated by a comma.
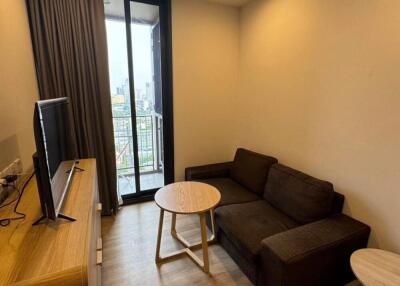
[(129, 244)]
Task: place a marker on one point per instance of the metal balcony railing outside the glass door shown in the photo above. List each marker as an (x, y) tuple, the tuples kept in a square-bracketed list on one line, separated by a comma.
[(148, 139)]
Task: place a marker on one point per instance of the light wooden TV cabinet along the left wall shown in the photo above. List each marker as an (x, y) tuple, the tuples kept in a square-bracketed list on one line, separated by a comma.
[(55, 253)]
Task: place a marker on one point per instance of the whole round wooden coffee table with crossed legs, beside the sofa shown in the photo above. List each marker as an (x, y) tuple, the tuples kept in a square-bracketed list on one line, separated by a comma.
[(187, 198)]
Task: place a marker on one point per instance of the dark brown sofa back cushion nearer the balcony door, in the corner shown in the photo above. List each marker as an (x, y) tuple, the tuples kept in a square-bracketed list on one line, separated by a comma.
[(250, 169)]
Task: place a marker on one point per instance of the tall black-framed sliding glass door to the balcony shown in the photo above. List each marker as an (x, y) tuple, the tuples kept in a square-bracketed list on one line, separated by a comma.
[(141, 87)]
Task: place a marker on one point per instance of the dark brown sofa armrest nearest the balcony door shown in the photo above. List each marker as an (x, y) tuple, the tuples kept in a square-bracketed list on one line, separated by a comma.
[(208, 171)]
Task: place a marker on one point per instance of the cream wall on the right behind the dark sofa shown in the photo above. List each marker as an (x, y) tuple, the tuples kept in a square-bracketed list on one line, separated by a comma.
[(321, 91)]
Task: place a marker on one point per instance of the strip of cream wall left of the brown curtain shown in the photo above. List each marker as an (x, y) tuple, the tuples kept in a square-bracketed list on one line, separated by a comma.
[(18, 86)]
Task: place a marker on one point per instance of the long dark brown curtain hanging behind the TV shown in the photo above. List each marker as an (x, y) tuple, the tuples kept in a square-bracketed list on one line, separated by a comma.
[(69, 42)]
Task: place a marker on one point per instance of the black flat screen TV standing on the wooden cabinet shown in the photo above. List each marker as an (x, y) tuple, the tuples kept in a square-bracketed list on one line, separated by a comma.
[(55, 157)]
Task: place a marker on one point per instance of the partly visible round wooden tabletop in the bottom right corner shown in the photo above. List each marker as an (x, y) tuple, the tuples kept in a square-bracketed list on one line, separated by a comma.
[(376, 267)]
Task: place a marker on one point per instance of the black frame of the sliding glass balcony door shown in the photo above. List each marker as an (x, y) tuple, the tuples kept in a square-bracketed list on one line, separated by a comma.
[(167, 98)]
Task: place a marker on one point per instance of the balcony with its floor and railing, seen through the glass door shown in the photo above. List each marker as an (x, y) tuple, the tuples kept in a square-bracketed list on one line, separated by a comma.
[(149, 133)]
